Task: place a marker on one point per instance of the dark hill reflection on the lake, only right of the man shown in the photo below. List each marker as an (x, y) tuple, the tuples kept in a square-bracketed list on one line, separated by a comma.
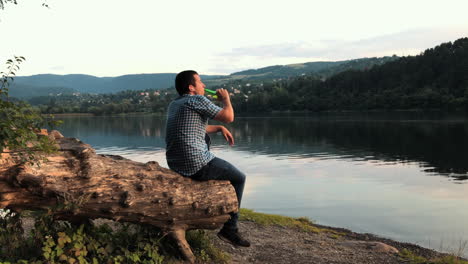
[(440, 147)]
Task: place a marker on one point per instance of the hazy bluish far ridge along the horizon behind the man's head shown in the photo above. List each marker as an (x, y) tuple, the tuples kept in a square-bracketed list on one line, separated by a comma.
[(45, 84)]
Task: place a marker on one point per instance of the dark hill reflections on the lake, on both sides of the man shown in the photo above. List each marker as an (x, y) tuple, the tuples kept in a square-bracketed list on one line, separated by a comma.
[(440, 147)]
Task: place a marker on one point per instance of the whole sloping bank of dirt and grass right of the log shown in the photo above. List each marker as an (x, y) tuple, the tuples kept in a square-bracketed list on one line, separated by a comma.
[(282, 239)]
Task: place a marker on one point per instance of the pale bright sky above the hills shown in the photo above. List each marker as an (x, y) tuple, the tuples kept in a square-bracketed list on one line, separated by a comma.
[(115, 37)]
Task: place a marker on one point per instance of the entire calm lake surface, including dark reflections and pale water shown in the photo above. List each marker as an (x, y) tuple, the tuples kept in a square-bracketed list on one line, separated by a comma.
[(403, 175)]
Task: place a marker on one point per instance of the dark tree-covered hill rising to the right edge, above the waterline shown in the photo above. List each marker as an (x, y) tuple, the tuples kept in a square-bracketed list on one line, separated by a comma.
[(435, 79)]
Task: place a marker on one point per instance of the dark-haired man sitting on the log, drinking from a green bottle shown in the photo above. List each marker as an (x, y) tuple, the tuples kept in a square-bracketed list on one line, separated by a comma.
[(187, 149)]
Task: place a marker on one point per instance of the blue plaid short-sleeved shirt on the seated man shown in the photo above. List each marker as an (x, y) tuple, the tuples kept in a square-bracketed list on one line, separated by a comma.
[(187, 117)]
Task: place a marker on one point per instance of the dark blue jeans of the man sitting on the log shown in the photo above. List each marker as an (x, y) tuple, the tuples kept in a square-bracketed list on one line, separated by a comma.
[(218, 169)]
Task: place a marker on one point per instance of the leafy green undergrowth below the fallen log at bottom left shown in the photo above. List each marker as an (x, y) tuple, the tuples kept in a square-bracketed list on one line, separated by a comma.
[(59, 242)]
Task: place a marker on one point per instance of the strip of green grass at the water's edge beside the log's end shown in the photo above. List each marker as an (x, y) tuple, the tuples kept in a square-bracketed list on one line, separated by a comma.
[(301, 223)]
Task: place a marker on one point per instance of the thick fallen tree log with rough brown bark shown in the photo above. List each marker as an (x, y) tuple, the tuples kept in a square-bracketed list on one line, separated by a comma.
[(112, 187)]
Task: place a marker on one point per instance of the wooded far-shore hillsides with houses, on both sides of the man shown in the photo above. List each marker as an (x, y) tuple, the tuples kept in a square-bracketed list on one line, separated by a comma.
[(435, 79)]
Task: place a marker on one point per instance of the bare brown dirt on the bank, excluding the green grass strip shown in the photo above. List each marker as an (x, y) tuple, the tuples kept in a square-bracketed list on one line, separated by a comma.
[(275, 244)]
